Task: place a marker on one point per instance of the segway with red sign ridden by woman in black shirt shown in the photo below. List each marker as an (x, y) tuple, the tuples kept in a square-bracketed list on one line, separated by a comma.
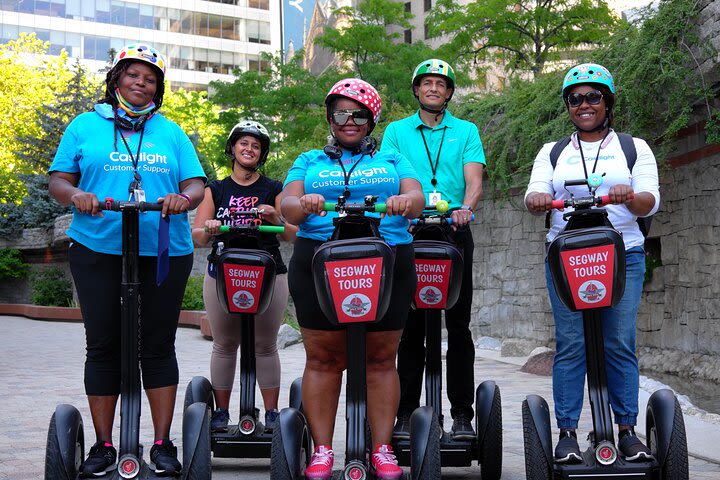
[(245, 283)]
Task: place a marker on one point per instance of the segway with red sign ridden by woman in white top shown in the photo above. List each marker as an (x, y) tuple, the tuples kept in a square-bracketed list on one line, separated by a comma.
[(599, 284)]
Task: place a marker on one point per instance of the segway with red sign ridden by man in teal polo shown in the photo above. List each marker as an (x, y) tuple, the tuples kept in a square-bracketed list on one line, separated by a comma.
[(439, 265)]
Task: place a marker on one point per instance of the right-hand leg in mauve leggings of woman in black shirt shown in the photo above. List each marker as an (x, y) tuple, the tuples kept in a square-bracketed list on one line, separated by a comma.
[(266, 353)]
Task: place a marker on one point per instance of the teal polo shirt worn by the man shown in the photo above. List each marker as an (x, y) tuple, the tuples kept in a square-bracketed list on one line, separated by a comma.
[(460, 145)]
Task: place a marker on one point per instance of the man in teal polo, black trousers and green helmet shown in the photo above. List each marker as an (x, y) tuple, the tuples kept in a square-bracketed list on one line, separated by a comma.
[(448, 157)]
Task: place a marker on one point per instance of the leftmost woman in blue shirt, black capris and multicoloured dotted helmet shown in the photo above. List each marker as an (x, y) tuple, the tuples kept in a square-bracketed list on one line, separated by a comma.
[(125, 146)]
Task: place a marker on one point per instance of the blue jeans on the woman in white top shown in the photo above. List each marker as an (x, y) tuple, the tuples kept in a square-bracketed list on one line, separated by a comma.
[(619, 335)]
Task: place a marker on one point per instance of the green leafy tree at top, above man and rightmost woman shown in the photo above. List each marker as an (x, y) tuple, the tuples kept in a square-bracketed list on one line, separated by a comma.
[(527, 34)]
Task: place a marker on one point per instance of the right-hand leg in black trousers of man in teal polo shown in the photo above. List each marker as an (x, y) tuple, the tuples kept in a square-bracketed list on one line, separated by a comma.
[(460, 357)]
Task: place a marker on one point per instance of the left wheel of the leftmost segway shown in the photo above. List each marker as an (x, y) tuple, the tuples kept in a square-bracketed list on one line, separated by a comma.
[(65, 447)]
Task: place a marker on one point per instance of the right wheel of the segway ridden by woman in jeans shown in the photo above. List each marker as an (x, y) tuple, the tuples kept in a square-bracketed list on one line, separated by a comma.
[(675, 464)]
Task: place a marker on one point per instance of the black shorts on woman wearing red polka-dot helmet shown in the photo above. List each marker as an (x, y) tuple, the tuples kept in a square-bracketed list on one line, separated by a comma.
[(307, 307)]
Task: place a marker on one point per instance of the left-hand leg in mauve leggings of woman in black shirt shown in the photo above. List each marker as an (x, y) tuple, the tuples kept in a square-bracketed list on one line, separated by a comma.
[(225, 330)]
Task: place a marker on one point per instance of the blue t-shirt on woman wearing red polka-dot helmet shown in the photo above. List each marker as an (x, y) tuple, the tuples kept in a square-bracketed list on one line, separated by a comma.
[(377, 175)]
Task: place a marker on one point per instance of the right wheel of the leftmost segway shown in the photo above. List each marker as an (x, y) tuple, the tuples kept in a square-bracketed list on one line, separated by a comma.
[(197, 463)]
